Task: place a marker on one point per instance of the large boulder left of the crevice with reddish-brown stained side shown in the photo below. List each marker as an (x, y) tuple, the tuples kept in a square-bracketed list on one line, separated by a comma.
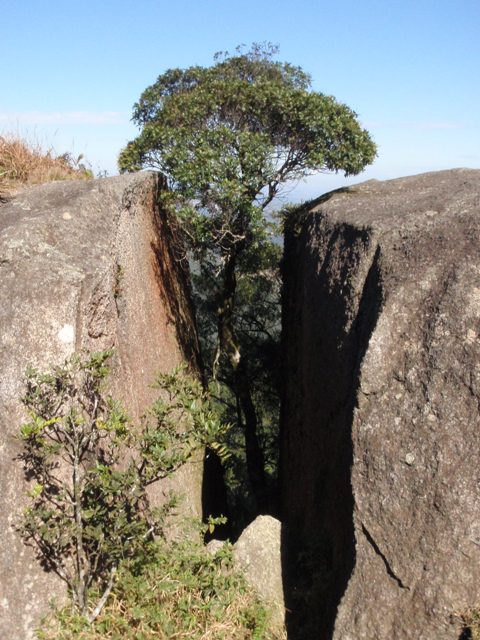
[(82, 265)]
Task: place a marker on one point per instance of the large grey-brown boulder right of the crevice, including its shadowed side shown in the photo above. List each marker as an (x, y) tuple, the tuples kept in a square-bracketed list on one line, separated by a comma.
[(381, 425)]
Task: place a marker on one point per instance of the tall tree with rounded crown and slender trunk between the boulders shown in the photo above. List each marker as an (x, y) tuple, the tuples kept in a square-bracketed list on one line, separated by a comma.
[(229, 137)]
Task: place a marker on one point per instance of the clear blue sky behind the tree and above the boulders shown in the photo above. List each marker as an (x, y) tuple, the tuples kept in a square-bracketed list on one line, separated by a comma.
[(71, 71)]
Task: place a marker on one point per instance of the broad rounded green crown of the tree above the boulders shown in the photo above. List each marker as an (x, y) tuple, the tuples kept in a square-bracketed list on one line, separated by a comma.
[(228, 136)]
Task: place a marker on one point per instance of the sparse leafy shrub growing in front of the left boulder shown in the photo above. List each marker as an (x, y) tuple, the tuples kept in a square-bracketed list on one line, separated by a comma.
[(89, 508)]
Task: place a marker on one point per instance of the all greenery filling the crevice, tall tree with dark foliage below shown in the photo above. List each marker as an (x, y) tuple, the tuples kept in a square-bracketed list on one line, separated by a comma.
[(228, 138)]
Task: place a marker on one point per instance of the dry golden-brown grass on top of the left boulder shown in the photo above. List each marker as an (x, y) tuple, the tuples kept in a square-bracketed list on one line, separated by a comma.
[(24, 163)]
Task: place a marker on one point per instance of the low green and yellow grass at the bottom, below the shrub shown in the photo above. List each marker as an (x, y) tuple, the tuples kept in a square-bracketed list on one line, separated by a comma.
[(179, 591)]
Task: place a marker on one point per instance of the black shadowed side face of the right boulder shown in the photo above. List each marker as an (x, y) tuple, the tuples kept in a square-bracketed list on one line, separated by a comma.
[(323, 365)]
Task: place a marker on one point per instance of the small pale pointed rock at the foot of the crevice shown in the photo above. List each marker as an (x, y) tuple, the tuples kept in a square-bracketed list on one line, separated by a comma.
[(257, 554)]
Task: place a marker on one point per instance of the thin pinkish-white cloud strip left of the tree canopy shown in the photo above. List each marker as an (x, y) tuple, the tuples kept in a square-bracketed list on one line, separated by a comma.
[(63, 117)]
